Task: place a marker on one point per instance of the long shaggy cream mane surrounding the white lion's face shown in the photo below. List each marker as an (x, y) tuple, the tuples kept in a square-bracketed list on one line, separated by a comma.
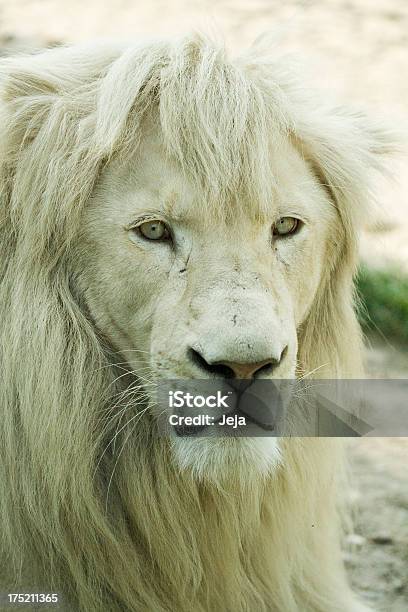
[(162, 540)]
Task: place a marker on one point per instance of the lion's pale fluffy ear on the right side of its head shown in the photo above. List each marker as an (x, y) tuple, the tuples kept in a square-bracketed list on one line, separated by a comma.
[(347, 152)]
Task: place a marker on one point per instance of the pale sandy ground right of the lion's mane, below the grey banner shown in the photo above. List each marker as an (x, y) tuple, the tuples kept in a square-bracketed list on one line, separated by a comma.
[(378, 561)]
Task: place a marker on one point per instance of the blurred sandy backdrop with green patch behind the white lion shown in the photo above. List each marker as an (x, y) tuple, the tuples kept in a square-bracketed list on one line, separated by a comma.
[(359, 49)]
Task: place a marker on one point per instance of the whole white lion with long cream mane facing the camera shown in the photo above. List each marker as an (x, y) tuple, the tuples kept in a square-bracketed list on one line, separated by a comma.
[(169, 213)]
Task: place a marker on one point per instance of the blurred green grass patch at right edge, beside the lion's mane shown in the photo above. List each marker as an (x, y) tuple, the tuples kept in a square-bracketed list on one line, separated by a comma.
[(384, 302)]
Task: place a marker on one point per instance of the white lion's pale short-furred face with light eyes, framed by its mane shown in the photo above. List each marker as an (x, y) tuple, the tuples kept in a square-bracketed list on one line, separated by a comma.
[(185, 291)]
